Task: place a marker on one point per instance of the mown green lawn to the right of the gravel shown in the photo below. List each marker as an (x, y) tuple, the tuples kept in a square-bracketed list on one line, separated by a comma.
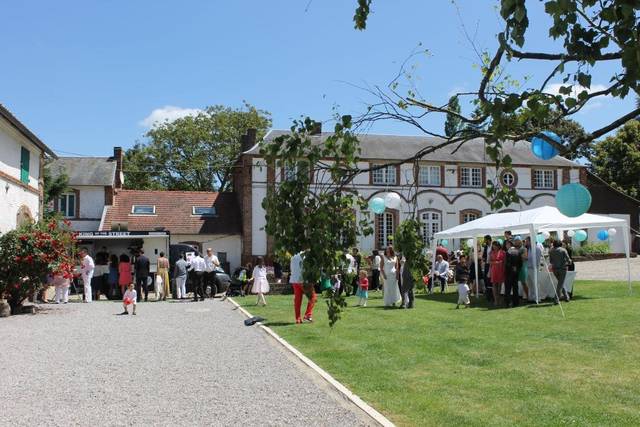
[(435, 365)]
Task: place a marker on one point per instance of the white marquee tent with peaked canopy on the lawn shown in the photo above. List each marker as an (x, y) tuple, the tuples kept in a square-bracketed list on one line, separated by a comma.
[(532, 222)]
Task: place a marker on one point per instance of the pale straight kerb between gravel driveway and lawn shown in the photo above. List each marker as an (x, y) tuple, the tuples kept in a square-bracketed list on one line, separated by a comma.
[(344, 391)]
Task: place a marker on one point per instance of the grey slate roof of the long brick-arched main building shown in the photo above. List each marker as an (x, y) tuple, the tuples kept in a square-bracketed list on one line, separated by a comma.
[(397, 147)]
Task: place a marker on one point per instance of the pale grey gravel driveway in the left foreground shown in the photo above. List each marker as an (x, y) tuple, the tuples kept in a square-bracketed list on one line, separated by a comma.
[(173, 364)]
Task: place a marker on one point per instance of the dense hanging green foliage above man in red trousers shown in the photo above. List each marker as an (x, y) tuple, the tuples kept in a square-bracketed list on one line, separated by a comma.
[(313, 208)]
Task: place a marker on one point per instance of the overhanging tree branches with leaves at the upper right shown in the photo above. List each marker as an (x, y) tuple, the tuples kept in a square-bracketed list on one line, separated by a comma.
[(594, 34)]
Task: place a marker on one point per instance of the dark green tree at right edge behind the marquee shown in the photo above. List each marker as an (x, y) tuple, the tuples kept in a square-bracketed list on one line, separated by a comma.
[(617, 159)]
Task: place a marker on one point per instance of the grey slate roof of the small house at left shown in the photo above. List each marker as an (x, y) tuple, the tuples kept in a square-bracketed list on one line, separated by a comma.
[(86, 170)]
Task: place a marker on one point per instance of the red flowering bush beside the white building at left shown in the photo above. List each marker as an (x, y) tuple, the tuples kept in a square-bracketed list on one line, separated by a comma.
[(29, 254)]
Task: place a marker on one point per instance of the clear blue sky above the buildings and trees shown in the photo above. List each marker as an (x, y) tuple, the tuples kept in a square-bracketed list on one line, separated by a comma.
[(88, 75)]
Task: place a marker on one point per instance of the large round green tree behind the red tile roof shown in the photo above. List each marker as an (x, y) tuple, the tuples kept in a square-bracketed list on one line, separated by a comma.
[(195, 152)]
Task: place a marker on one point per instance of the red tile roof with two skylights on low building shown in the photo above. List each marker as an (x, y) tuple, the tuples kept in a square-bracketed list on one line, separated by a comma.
[(174, 212)]
